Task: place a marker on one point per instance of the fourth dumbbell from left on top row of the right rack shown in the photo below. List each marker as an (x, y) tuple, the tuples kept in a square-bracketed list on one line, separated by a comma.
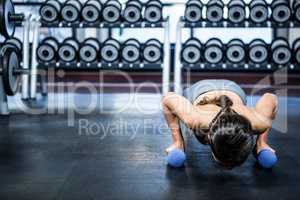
[(259, 11)]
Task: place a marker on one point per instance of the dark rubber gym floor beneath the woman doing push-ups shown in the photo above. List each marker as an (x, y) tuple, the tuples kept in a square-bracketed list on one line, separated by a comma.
[(42, 158)]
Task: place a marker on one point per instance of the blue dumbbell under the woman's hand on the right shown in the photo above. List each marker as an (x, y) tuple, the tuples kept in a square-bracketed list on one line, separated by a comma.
[(267, 158)]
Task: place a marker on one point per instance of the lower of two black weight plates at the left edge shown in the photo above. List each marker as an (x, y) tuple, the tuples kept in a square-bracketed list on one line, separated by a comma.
[(10, 62)]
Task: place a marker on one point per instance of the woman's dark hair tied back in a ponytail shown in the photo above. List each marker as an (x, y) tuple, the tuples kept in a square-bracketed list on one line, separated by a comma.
[(231, 135)]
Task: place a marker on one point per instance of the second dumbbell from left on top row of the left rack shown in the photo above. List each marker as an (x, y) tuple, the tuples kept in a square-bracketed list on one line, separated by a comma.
[(70, 11)]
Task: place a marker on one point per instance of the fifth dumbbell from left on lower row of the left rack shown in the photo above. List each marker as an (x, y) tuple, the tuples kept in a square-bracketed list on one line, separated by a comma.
[(131, 51)]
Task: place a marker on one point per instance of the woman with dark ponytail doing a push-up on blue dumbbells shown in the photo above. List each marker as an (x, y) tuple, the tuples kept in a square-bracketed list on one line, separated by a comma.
[(216, 113)]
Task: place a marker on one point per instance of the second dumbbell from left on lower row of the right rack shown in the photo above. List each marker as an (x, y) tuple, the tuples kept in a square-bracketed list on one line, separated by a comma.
[(213, 51)]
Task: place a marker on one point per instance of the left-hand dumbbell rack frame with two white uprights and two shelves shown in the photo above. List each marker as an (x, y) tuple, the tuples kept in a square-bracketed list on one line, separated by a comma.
[(164, 66)]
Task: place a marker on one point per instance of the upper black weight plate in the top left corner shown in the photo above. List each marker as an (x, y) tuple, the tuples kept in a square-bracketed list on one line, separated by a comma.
[(7, 27)]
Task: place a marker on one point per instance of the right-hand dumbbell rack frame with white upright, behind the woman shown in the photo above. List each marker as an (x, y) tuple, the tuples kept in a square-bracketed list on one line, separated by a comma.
[(179, 66)]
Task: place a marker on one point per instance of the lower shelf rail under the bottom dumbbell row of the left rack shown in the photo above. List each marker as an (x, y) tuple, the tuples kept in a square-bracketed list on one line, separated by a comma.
[(101, 66)]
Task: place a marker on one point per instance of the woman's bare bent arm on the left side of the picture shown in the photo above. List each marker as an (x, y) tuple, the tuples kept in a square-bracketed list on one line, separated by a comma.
[(177, 108)]
